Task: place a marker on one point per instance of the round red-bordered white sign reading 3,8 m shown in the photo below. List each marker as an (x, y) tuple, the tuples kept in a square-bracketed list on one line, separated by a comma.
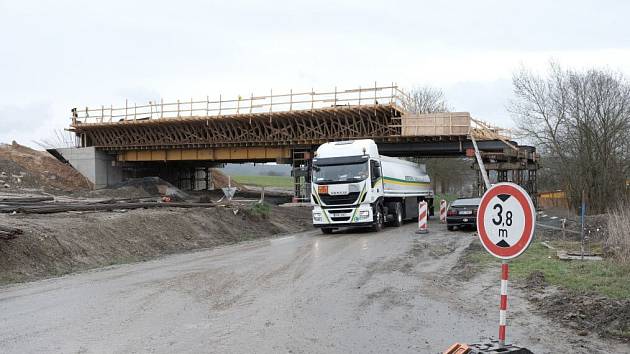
[(506, 220)]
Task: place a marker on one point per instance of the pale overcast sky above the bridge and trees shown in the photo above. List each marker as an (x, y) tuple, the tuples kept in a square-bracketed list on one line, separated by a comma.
[(55, 55)]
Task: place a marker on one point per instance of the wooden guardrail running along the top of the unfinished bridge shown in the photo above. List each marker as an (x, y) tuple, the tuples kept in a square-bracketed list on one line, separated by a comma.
[(284, 102)]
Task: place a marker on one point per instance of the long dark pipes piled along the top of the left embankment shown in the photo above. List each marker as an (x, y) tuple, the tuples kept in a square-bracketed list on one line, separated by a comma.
[(48, 205)]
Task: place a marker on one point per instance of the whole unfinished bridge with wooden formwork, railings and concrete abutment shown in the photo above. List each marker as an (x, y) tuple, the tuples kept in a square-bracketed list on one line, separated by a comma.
[(179, 141)]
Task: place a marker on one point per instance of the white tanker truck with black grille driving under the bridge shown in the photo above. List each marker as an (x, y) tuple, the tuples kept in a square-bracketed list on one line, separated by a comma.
[(354, 186)]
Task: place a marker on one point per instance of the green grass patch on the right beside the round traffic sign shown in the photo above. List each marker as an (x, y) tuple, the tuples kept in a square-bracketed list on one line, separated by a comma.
[(605, 277)]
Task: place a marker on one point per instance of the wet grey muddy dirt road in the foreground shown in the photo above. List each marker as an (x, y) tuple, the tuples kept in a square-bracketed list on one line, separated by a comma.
[(353, 292)]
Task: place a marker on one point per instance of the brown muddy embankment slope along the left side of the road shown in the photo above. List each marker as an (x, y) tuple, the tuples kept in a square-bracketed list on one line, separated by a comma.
[(57, 244)]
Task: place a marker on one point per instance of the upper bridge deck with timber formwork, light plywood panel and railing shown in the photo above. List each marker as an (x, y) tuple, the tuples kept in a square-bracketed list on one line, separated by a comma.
[(307, 118)]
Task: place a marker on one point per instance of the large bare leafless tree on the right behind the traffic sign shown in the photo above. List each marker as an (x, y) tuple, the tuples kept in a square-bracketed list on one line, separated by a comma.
[(582, 121)]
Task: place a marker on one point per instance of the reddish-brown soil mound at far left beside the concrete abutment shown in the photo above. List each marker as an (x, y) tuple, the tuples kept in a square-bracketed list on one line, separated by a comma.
[(24, 168)]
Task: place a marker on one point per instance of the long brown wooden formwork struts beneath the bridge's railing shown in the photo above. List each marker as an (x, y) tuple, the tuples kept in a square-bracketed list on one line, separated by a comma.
[(258, 129)]
